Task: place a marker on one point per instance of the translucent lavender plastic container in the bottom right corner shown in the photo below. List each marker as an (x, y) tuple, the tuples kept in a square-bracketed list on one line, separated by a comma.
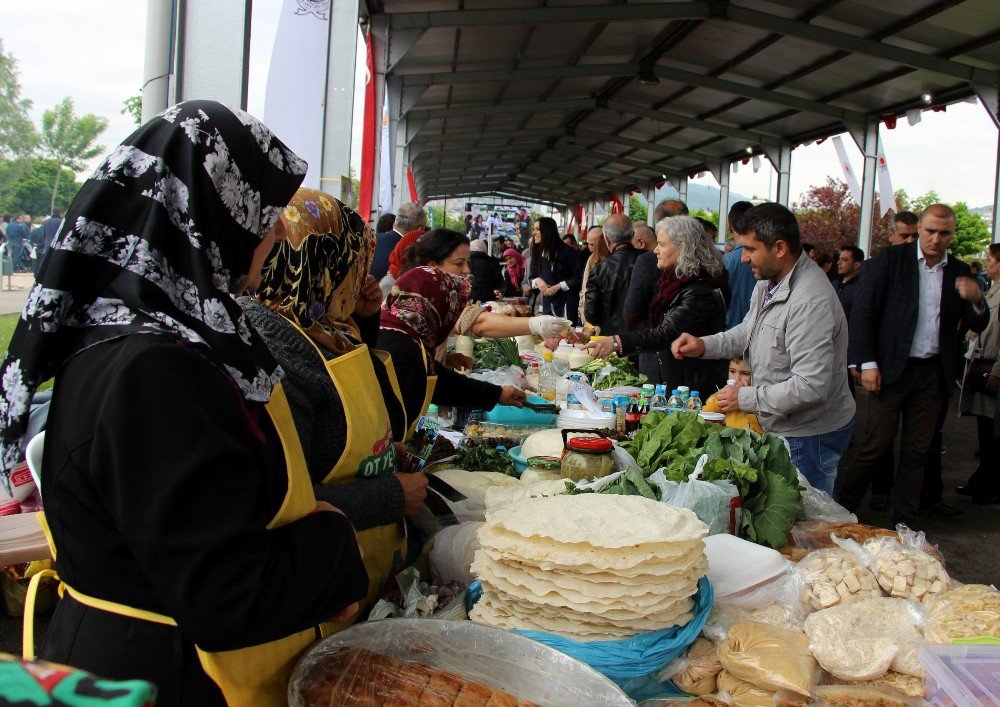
[(962, 674)]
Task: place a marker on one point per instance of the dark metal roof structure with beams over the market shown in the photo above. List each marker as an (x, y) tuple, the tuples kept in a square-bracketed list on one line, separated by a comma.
[(568, 101)]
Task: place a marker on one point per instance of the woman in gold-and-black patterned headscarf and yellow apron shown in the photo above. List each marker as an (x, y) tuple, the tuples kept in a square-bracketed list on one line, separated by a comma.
[(316, 307)]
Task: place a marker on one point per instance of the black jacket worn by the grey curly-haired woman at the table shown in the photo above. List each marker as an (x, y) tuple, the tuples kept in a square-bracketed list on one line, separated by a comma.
[(699, 309)]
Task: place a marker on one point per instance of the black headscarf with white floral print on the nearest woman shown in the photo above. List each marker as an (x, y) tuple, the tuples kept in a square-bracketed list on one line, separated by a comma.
[(156, 241)]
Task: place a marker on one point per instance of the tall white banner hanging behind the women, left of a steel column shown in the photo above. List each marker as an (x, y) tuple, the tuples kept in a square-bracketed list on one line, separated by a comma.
[(296, 81)]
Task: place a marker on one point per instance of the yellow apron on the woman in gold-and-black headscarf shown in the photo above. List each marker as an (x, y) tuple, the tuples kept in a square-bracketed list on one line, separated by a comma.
[(368, 452)]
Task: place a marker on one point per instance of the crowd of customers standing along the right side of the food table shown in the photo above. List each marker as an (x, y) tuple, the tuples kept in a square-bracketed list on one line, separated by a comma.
[(819, 331)]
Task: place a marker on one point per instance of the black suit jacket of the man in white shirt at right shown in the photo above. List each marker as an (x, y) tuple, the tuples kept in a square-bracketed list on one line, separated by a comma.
[(884, 316)]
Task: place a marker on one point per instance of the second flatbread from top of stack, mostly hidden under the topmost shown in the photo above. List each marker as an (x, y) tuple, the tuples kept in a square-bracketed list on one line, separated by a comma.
[(539, 549)]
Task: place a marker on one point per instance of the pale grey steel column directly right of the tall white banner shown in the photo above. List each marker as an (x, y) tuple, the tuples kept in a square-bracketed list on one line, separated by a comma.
[(338, 108)]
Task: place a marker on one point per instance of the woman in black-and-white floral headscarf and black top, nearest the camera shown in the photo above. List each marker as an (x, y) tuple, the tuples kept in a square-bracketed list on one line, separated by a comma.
[(182, 518)]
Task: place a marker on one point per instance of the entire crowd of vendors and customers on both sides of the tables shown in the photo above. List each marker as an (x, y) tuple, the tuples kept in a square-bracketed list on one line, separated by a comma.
[(281, 351)]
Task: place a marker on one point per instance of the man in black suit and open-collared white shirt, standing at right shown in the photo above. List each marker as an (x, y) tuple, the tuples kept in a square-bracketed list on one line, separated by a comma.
[(904, 326)]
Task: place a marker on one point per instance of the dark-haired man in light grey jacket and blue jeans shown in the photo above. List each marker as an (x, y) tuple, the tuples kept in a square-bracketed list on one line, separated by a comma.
[(794, 338)]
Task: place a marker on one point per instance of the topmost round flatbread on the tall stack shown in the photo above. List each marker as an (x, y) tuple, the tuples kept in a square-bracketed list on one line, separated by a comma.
[(600, 520)]
